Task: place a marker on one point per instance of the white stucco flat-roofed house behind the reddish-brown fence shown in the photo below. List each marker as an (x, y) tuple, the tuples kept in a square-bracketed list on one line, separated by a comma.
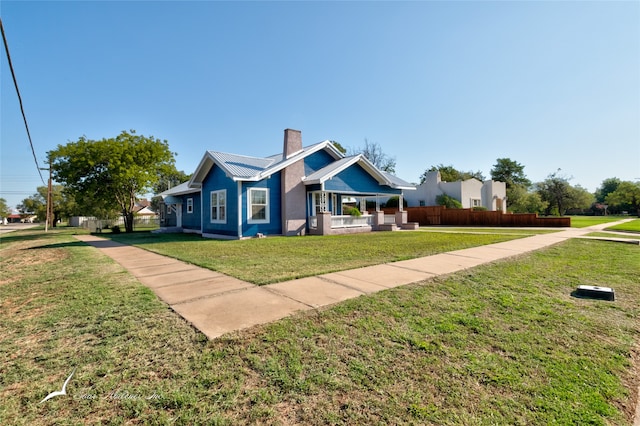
[(471, 193)]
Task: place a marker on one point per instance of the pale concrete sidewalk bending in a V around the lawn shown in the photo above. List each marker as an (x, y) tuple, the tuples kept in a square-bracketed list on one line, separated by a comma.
[(217, 304)]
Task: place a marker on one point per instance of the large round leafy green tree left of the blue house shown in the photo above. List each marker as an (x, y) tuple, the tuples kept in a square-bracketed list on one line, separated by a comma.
[(109, 174)]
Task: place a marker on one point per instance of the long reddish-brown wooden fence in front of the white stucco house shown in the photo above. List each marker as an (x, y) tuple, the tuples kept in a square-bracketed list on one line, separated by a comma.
[(440, 215)]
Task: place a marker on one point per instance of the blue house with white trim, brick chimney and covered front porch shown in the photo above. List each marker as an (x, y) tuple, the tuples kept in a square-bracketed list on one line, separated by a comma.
[(303, 190)]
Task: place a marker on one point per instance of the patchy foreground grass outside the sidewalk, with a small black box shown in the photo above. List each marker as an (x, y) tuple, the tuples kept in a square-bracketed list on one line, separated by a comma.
[(503, 343)]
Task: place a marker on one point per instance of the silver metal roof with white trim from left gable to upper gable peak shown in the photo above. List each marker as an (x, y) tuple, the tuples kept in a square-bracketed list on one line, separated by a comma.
[(246, 168)]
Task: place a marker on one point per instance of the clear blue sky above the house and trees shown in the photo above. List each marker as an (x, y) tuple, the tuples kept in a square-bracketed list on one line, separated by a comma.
[(548, 84)]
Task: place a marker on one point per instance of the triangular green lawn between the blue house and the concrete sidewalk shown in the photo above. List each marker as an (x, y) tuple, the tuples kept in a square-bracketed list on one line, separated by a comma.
[(276, 259)]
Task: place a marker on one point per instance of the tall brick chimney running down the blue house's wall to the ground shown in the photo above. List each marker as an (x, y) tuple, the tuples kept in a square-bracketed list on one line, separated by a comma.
[(294, 210)]
